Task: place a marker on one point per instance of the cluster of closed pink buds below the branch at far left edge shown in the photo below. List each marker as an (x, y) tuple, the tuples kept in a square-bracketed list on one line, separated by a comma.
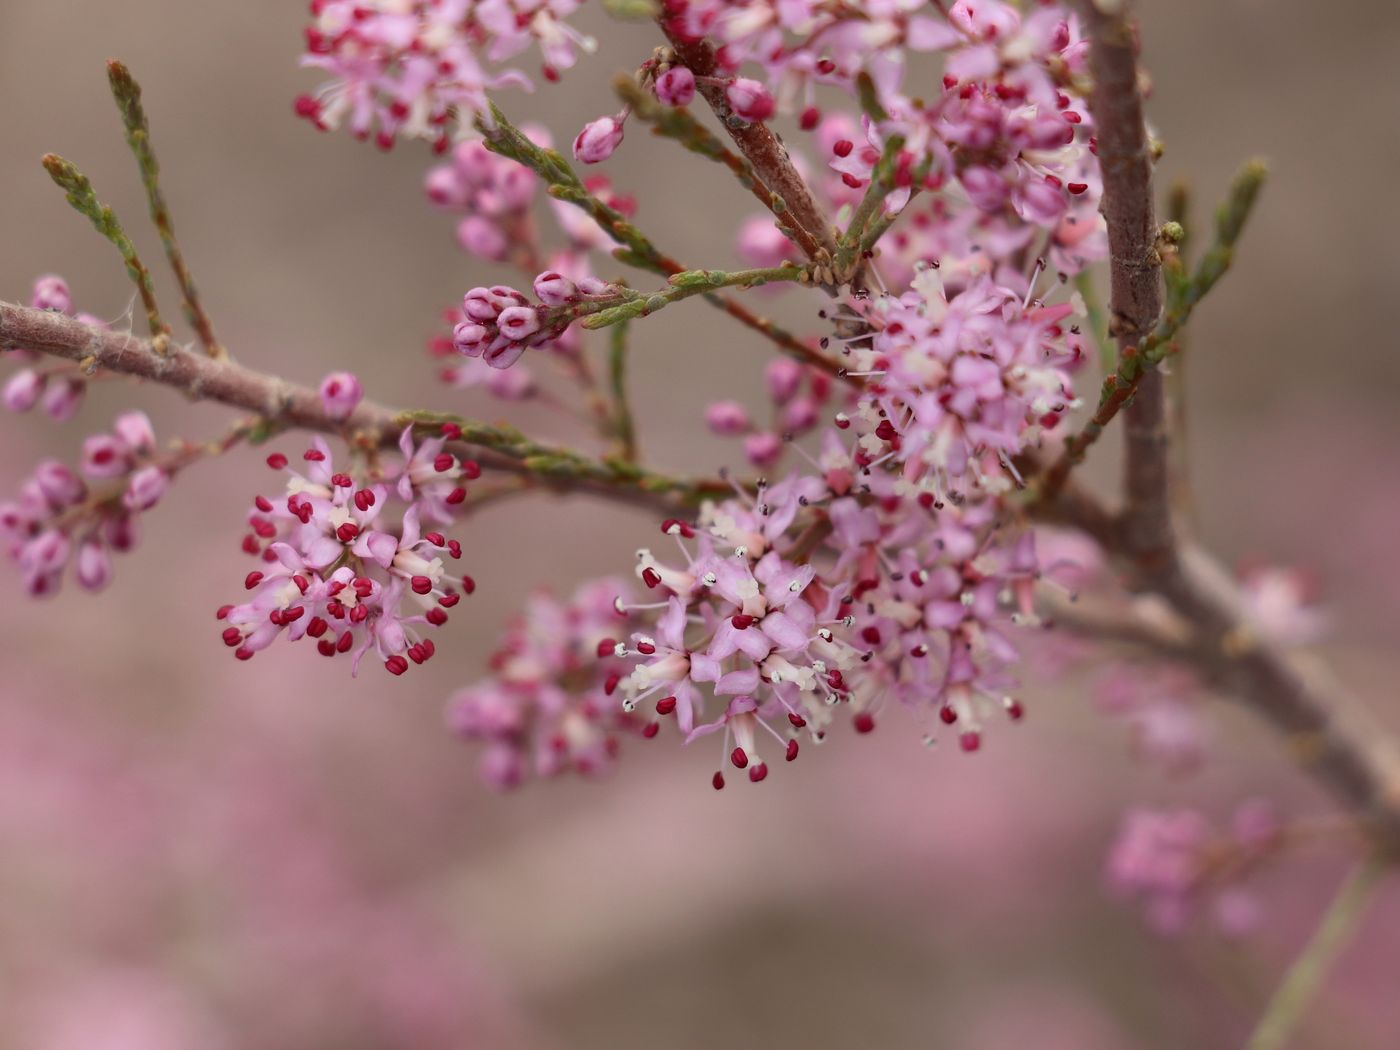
[(61, 519)]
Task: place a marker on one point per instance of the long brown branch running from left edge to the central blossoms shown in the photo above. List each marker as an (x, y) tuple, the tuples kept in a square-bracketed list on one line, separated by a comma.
[(292, 407)]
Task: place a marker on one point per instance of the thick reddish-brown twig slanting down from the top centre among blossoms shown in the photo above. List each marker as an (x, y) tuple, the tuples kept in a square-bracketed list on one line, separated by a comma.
[(762, 149)]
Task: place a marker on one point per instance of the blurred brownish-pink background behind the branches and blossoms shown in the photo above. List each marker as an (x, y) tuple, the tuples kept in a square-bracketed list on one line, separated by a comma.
[(204, 855)]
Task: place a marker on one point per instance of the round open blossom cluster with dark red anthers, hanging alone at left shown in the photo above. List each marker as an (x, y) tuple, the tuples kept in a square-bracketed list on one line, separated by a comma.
[(342, 568)]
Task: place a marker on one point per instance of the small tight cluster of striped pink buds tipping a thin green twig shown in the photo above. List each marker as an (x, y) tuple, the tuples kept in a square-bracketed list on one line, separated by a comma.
[(502, 324)]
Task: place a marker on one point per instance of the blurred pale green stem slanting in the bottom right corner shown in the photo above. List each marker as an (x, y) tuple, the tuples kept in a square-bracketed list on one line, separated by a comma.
[(1310, 971)]
